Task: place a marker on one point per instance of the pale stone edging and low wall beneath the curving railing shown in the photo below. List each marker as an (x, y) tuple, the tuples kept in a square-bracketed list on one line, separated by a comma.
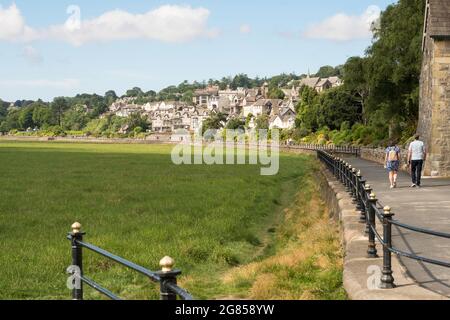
[(354, 242)]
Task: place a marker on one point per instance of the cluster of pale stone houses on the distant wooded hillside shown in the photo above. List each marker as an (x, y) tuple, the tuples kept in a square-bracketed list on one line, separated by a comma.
[(243, 104)]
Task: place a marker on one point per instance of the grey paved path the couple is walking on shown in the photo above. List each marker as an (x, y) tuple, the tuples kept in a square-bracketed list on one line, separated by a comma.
[(427, 208)]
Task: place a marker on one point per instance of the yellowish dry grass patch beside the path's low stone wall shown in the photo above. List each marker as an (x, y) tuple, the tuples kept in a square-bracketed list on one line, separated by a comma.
[(308, 263)]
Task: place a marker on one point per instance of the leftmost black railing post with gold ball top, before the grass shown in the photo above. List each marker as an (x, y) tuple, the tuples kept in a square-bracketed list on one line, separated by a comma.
[(77, 261)]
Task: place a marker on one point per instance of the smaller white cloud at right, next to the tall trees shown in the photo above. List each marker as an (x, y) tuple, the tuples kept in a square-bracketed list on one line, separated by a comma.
[(343, 27)]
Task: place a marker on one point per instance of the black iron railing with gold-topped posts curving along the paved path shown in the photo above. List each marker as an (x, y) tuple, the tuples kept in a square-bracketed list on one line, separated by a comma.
[(371, 211)]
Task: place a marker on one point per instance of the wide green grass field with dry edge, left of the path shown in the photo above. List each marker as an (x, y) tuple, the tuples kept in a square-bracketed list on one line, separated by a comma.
[(226, 226)]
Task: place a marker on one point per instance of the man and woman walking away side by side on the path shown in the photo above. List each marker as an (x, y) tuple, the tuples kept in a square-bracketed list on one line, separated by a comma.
[(416, 158)]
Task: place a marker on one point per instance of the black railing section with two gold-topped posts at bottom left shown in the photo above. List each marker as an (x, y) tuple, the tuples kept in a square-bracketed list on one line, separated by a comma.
[(167, 278)]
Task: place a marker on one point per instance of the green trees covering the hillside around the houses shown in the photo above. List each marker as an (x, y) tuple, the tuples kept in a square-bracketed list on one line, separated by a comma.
[(379, 100)]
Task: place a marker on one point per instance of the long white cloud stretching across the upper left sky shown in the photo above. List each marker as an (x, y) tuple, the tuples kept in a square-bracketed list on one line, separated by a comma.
[(168, 23)]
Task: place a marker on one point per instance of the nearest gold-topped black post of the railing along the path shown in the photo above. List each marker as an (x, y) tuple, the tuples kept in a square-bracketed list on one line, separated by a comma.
[(387, 280)]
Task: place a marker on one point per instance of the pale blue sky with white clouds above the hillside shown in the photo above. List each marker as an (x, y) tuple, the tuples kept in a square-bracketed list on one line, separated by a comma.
[(61, 48)]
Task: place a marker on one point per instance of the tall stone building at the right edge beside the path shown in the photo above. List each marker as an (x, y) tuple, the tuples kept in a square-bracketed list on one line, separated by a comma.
[(434, 121)]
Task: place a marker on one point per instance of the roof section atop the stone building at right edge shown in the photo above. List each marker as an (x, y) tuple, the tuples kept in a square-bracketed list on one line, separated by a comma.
[(438, 18)]
